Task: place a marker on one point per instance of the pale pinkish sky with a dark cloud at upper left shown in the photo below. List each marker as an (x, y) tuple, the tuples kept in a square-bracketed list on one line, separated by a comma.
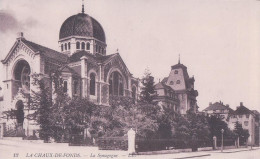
[(218, 40)]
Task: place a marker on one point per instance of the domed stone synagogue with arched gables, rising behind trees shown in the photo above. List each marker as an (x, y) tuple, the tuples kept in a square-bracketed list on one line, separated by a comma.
[(86, 69)]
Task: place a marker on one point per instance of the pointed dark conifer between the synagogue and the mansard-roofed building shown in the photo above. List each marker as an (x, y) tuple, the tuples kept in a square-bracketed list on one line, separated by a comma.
[(147, 93)]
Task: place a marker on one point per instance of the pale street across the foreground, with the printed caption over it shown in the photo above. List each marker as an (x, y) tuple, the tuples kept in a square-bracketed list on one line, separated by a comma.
[(23, 150)]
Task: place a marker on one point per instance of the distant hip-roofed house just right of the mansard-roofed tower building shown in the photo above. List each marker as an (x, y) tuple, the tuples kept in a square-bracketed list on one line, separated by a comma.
[(219, 109)]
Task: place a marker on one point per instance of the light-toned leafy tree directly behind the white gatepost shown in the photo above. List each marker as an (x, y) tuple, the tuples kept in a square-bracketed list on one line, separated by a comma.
[(124, 114)]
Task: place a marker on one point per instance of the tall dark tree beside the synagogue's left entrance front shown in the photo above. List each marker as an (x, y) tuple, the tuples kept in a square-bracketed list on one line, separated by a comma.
[(47, 102)]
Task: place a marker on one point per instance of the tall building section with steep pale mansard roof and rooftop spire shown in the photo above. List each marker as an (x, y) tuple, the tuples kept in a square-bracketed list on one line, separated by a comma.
[(183, 86)]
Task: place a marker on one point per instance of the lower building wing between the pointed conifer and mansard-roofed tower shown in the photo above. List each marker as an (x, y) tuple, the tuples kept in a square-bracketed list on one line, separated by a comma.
[(166, 97)]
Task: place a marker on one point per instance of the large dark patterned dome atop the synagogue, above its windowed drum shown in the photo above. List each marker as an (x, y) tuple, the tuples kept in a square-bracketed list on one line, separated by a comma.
[(82, 25)]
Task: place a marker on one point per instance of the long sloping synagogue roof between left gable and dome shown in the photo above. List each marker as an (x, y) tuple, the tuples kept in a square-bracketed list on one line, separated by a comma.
[(45, 51)]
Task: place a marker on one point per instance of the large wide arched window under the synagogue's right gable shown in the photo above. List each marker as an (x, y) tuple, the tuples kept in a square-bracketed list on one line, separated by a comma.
[(116, 85)]
